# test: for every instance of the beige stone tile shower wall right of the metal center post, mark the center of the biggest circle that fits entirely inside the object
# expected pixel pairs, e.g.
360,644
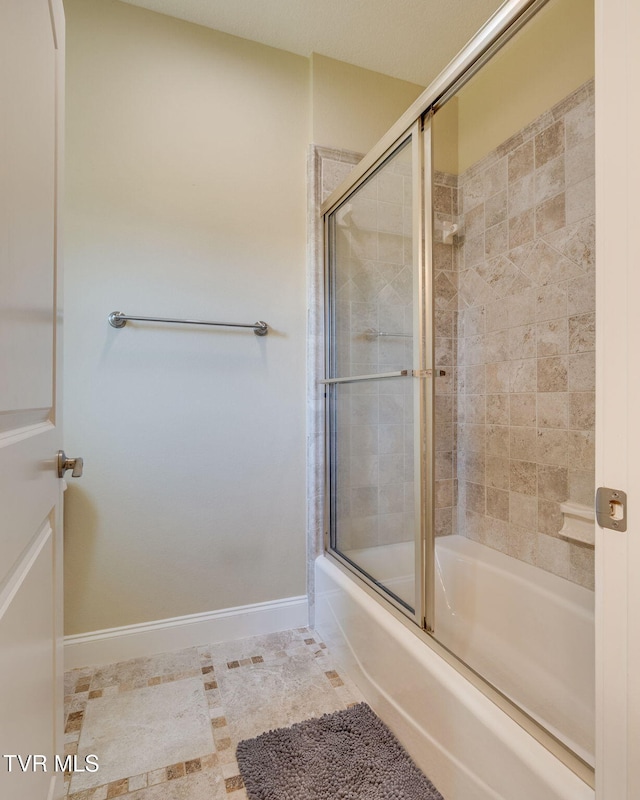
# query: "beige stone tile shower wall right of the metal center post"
524,338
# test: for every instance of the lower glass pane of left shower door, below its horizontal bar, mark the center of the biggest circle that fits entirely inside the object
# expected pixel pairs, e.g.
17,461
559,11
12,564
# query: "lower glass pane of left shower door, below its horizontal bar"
373,518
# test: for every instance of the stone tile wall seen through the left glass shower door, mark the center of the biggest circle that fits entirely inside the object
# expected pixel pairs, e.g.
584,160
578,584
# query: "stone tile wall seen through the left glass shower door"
374,296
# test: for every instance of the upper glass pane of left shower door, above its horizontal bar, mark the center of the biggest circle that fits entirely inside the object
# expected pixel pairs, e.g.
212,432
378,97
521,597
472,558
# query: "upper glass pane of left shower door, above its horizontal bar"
371,273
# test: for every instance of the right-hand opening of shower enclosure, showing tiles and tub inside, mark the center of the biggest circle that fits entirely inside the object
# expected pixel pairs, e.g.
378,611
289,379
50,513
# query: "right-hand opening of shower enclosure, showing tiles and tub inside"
513,247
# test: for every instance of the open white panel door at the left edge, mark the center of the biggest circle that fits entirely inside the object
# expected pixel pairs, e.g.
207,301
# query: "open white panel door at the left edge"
31,81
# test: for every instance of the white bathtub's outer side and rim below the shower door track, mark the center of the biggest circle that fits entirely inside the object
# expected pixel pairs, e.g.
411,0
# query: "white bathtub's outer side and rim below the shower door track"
468,747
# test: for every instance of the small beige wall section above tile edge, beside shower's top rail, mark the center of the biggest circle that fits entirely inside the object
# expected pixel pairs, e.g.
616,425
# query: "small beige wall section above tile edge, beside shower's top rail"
354,107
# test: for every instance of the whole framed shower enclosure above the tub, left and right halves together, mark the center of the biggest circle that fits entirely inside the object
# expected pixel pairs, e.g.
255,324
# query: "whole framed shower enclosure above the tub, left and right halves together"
457,496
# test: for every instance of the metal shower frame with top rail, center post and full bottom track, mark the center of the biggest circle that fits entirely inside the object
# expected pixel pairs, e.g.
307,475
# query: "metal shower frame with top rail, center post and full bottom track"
500,28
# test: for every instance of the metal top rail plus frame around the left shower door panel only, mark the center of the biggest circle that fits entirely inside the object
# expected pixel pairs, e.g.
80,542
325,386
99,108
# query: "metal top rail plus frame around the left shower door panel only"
416,122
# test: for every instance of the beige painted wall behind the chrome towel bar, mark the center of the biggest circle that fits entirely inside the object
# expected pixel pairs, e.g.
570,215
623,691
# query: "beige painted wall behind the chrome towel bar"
186,196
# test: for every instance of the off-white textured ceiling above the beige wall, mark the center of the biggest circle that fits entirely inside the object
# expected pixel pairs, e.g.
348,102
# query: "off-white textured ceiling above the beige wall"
408,39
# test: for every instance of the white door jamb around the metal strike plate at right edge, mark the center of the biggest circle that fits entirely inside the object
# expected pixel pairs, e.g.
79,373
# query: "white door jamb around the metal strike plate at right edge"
618,396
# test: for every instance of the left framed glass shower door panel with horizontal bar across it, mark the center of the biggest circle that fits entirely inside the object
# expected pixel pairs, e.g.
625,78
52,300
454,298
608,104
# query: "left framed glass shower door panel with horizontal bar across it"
373,399
